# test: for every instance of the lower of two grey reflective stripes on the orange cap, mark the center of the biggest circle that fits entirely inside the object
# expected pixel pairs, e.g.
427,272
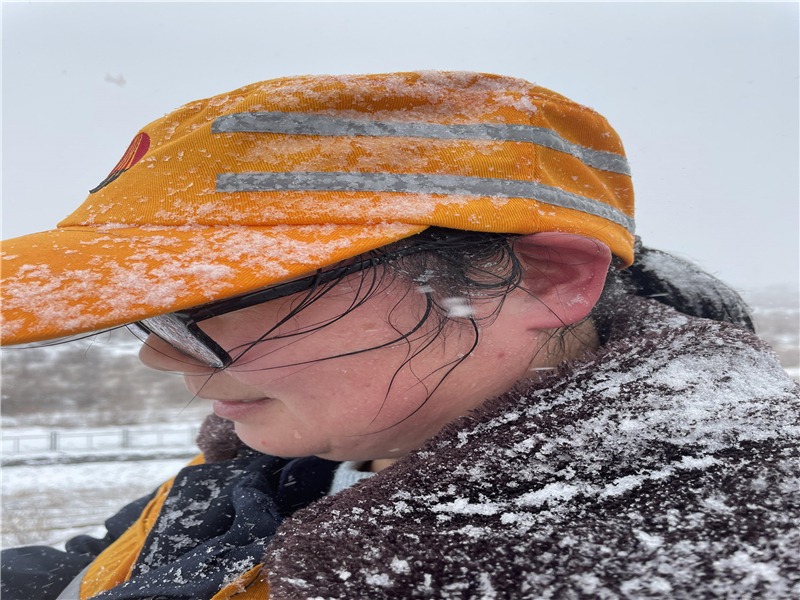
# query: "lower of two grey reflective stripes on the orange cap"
418,184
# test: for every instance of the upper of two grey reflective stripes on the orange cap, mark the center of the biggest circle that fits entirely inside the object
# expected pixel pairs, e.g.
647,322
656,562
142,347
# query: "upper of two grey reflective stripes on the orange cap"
308,124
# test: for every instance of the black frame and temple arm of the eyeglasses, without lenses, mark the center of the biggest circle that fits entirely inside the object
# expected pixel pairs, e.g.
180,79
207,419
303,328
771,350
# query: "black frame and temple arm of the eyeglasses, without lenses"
189,318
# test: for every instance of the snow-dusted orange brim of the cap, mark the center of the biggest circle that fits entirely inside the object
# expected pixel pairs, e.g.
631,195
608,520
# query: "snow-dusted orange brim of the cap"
81,279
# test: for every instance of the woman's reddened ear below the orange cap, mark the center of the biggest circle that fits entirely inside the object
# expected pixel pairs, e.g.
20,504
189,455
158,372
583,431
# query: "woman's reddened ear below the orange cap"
565,273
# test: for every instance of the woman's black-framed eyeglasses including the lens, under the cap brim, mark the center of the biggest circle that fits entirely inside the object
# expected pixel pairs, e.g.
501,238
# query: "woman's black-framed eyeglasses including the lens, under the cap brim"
179,329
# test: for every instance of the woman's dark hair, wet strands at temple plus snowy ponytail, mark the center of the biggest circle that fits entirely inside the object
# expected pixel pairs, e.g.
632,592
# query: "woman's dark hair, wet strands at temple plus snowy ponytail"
455,269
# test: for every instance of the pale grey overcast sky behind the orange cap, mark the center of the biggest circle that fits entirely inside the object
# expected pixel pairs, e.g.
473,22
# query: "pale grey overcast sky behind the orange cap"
704,95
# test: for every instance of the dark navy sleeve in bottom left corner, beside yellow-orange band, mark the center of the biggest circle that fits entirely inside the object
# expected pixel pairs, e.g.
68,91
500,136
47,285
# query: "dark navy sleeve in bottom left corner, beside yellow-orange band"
42,572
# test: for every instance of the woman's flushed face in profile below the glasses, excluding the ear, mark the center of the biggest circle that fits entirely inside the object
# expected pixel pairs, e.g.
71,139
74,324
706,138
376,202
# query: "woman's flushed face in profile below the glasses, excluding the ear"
286,399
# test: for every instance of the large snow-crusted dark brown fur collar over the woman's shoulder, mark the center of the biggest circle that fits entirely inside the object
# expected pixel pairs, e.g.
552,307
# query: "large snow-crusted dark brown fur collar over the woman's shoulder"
667,465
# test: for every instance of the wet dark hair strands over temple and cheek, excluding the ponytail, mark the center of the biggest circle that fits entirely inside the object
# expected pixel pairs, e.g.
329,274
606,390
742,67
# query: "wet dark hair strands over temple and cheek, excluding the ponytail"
450,270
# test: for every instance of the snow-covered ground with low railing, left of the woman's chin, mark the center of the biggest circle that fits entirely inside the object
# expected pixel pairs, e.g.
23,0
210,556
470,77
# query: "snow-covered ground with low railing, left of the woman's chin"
61,482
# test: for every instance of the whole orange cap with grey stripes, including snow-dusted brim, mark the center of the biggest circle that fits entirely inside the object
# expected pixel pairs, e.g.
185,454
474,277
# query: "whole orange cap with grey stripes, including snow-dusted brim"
276,179
